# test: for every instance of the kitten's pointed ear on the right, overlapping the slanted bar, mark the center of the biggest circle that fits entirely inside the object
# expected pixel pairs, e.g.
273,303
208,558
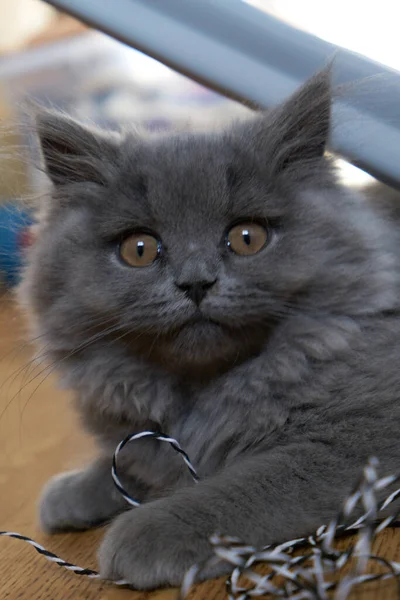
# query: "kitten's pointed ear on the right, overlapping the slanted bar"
298,130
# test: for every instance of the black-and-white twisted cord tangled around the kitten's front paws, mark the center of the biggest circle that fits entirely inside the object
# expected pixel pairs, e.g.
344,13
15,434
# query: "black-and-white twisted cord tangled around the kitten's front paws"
302,577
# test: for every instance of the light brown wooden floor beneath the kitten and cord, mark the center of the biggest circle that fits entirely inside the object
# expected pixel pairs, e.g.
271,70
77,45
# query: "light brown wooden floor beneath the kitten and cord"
39,437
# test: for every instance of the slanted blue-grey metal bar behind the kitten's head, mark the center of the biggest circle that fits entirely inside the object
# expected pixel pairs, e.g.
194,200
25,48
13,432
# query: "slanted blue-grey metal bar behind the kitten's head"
254,58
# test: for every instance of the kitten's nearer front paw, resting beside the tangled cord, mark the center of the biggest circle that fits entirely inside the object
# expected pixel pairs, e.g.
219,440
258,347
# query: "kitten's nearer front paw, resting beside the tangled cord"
151,547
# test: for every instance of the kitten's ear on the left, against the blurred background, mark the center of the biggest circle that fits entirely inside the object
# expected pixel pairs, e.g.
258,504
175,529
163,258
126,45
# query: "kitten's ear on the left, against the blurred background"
73,152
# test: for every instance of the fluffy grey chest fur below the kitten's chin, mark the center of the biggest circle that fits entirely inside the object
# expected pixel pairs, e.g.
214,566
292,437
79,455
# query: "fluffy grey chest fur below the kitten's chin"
212,420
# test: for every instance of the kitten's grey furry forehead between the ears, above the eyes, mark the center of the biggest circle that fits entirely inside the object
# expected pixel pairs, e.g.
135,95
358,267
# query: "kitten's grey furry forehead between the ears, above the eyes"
181,185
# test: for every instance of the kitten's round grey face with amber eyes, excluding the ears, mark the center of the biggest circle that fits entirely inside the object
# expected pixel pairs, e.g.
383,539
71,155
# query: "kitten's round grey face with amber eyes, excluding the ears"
181,259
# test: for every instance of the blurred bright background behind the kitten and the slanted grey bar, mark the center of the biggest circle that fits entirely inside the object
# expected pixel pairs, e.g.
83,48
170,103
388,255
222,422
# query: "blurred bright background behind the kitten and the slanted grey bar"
54,60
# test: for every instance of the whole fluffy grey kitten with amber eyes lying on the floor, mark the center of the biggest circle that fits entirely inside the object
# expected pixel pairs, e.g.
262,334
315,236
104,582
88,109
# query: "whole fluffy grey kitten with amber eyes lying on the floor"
226,290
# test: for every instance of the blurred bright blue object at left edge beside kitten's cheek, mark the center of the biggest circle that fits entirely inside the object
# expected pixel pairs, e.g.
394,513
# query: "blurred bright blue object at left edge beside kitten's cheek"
14,224
